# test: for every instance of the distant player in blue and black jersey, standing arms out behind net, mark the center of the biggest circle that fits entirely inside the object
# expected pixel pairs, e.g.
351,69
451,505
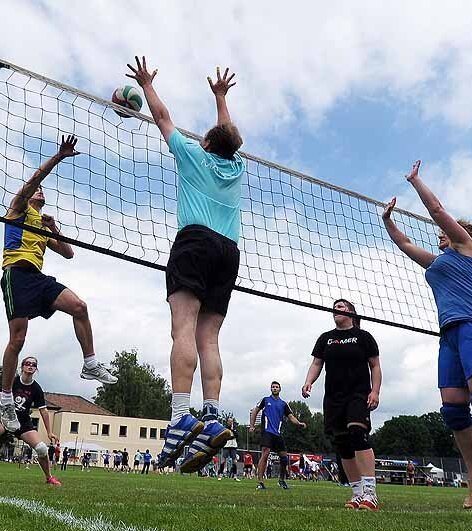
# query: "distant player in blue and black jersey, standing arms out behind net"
274,409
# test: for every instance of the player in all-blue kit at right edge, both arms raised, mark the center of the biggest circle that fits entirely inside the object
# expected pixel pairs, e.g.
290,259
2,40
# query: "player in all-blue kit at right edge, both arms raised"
450,276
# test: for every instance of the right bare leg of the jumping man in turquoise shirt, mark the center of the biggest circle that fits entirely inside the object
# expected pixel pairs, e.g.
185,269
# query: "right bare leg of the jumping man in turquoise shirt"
208,328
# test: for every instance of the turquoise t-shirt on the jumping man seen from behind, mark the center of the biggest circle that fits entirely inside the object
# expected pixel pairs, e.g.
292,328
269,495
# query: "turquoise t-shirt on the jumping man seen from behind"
209,187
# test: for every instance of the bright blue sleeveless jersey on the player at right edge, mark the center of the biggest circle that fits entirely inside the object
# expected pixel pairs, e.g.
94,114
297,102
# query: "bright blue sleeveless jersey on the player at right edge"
450,278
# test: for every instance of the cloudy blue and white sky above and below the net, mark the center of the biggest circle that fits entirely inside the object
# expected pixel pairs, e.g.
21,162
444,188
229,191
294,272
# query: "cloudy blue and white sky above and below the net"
351,93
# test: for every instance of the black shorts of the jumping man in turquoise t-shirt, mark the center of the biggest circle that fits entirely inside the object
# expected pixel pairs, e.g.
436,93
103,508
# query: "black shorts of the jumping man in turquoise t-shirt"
205,263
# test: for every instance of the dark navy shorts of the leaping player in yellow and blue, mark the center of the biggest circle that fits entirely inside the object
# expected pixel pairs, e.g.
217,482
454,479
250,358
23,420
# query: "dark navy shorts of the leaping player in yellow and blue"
29,293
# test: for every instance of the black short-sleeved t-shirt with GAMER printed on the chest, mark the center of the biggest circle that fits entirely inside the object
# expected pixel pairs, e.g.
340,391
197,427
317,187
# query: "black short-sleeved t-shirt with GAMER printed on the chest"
345,354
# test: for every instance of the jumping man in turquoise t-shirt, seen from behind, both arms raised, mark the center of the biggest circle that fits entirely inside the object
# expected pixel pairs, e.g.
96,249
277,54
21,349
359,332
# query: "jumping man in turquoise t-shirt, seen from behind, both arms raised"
202,267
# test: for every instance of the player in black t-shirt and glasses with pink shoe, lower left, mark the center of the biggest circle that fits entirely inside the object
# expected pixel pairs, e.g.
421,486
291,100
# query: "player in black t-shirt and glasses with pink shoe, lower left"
27,394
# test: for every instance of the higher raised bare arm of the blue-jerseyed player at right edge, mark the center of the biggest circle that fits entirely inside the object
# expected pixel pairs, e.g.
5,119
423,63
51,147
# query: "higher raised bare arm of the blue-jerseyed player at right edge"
457,234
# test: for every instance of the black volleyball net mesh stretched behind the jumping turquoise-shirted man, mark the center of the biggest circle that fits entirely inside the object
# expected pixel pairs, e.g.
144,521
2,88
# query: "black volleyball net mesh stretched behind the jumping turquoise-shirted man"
301,239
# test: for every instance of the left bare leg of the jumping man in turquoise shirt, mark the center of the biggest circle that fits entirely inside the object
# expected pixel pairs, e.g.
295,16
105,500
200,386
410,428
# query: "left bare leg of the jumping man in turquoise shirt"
184,308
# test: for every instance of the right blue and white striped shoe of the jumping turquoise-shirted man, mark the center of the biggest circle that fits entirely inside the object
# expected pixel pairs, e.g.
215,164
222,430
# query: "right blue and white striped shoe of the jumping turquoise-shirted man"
213,437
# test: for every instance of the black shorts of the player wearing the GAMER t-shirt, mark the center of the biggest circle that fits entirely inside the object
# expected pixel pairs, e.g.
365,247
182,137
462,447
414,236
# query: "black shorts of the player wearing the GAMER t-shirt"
340,411
